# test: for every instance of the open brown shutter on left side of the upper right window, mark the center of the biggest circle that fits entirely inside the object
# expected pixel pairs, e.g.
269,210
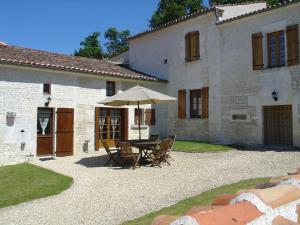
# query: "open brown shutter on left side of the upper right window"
257,51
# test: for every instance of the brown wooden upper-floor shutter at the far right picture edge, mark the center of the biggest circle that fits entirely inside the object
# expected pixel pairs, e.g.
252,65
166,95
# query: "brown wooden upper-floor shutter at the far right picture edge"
292,36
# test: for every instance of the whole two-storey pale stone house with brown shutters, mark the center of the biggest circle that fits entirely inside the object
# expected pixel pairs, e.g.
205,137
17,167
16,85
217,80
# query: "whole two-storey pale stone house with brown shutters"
245,57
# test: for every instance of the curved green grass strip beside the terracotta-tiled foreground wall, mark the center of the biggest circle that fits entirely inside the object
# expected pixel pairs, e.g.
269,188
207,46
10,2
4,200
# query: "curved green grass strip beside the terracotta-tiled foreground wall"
203,199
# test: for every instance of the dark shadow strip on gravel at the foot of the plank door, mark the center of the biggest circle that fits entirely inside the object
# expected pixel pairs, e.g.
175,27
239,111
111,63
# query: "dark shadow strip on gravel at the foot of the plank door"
264,148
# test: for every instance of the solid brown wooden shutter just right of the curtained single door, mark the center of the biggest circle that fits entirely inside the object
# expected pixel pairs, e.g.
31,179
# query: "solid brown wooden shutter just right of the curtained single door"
65,132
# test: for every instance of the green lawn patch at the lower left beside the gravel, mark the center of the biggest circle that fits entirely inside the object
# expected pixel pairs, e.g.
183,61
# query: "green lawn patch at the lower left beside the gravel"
25,182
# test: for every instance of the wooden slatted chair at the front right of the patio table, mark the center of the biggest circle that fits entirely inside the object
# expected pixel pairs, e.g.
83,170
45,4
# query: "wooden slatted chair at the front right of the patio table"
159,156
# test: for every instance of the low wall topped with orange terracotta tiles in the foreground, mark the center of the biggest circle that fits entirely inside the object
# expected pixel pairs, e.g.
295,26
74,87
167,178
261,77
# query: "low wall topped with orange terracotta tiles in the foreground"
273,203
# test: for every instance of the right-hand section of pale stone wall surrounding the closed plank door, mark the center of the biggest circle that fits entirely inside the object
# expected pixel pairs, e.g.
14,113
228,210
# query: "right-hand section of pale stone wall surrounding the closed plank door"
247,91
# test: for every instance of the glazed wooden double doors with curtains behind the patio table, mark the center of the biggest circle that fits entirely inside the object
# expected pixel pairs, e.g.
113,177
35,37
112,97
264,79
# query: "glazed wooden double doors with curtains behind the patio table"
110,125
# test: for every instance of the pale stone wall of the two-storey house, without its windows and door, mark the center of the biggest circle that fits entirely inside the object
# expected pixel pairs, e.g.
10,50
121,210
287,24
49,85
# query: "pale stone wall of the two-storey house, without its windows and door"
225,66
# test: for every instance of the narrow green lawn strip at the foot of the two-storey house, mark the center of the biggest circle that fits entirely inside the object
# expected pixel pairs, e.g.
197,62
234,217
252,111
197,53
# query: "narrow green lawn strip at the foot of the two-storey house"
198,147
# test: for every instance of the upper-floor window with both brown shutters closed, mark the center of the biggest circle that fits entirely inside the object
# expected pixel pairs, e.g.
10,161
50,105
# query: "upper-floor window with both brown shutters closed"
192,47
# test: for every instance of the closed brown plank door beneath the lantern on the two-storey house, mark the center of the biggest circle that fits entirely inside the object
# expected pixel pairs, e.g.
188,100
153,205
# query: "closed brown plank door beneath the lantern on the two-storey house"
278,125
